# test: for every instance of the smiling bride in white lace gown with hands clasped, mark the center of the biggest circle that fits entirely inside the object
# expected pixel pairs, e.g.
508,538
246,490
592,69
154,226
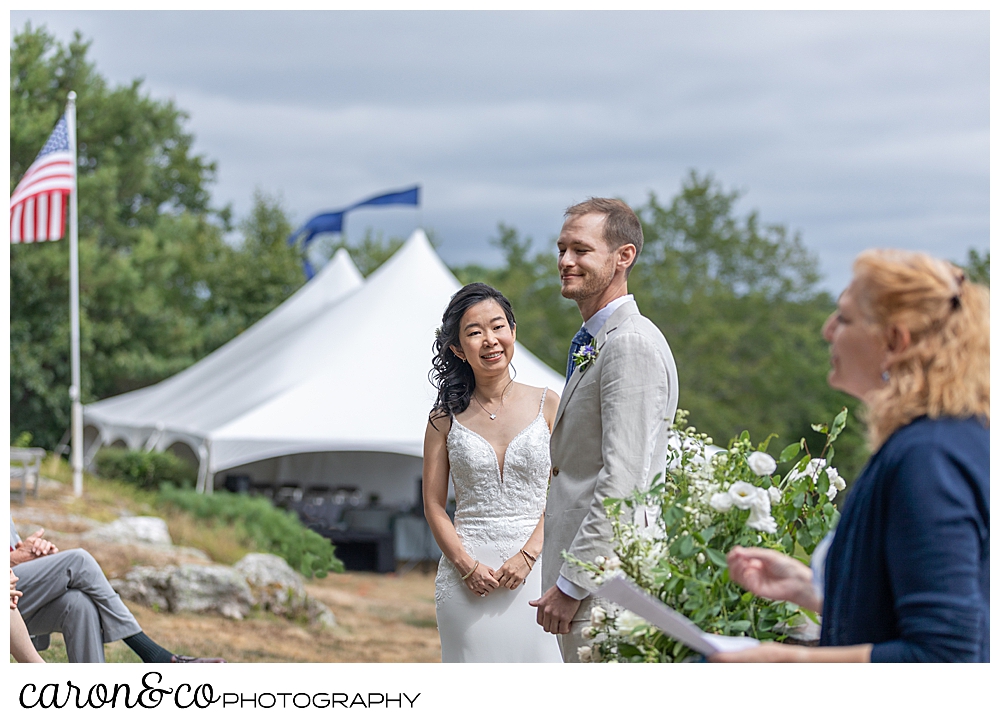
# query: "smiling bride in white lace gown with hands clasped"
491,435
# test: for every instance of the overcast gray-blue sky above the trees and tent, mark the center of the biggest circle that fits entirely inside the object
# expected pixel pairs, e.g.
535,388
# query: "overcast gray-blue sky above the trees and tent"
856,129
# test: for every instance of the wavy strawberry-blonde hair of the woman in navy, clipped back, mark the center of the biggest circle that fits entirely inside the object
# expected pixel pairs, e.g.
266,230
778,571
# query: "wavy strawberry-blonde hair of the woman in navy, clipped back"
945,372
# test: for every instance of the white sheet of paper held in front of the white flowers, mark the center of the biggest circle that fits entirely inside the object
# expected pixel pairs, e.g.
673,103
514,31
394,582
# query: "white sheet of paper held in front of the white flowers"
623,591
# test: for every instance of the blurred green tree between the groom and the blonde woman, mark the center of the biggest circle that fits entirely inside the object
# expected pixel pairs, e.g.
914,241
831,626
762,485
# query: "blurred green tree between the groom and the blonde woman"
737,300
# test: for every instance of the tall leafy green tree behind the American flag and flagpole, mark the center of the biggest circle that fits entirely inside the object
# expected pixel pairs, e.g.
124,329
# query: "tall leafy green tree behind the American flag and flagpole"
159,285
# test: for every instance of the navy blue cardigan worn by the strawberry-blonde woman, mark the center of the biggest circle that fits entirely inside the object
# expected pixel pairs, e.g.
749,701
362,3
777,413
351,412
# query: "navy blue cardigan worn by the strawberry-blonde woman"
909,567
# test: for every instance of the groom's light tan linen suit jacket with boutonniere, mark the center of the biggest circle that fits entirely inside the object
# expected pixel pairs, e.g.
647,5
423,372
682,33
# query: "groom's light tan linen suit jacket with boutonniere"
609,438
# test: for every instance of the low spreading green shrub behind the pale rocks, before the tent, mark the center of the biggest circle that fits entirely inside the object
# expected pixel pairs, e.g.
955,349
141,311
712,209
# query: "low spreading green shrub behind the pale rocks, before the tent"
270,529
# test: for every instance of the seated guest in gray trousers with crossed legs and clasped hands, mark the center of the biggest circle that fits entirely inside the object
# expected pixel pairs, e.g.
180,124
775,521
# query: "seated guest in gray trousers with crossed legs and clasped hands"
66,592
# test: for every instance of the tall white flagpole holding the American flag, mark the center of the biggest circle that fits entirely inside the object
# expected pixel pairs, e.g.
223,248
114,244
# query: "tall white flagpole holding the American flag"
76,412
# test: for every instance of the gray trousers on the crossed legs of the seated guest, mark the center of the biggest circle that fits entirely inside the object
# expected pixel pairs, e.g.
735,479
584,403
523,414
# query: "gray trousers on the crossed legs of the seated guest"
67,593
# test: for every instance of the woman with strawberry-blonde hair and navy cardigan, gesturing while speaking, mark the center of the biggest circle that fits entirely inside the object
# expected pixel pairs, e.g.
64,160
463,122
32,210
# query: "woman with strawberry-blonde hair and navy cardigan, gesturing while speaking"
906,574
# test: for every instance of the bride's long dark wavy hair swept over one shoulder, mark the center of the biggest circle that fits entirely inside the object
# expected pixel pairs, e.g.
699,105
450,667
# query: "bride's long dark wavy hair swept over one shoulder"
452,377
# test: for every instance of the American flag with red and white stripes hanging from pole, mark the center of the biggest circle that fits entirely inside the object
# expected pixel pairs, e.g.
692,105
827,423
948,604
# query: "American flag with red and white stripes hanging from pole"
38,204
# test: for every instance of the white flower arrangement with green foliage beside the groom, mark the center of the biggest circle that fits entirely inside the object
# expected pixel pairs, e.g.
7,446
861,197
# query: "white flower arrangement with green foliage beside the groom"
672,540
